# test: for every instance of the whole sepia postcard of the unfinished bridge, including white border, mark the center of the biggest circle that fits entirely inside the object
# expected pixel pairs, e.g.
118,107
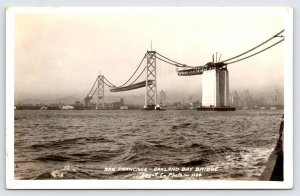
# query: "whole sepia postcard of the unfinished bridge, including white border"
149,97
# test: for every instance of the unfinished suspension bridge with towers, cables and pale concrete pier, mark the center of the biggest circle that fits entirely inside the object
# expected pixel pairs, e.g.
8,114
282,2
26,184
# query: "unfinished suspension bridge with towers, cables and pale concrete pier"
215,85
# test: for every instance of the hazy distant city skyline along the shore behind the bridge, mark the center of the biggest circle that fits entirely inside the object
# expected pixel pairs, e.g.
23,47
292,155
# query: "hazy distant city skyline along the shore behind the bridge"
238,98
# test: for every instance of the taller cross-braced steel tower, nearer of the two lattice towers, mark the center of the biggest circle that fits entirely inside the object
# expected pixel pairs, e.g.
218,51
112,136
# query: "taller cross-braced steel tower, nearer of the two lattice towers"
151,89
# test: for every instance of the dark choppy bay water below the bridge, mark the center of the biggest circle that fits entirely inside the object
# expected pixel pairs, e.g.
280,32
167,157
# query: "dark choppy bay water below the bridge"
93,144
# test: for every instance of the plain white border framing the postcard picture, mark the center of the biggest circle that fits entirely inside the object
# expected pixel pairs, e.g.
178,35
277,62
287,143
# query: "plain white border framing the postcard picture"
11,183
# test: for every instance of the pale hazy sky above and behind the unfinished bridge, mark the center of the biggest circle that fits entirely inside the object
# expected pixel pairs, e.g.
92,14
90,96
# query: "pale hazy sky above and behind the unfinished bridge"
62,54
